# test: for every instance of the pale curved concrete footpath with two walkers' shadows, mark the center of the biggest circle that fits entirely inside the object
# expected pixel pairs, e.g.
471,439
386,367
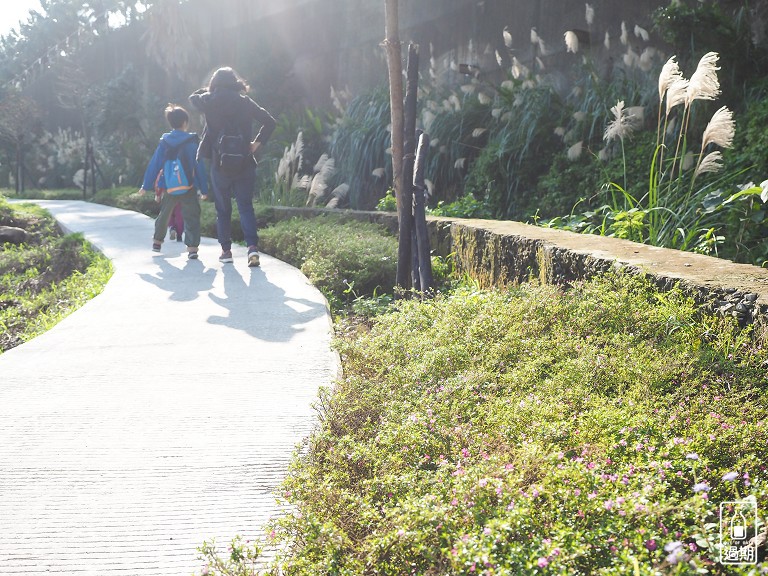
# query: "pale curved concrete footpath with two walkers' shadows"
162,413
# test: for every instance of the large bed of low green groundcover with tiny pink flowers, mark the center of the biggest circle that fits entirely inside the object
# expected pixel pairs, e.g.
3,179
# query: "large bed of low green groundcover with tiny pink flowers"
539,430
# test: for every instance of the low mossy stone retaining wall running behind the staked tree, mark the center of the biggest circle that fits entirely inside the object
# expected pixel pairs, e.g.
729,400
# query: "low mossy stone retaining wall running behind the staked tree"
497,253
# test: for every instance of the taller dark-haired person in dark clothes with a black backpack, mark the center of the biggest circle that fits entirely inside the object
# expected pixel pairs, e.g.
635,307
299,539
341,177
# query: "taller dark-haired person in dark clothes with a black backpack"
229,143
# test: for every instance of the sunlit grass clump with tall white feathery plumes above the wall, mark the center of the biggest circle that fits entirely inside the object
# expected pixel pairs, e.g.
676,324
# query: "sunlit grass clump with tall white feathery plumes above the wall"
686,204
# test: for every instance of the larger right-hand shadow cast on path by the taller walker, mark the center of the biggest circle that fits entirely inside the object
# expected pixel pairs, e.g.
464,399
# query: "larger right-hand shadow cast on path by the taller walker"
262,309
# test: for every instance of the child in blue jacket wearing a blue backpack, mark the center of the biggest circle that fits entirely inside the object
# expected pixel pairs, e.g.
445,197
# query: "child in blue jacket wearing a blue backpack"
182,144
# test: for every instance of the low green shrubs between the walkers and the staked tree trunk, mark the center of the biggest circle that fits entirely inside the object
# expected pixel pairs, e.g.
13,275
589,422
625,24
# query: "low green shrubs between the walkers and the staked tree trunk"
343,259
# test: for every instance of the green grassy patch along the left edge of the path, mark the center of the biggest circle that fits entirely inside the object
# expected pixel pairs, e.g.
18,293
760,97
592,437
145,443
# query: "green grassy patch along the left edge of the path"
46,278
